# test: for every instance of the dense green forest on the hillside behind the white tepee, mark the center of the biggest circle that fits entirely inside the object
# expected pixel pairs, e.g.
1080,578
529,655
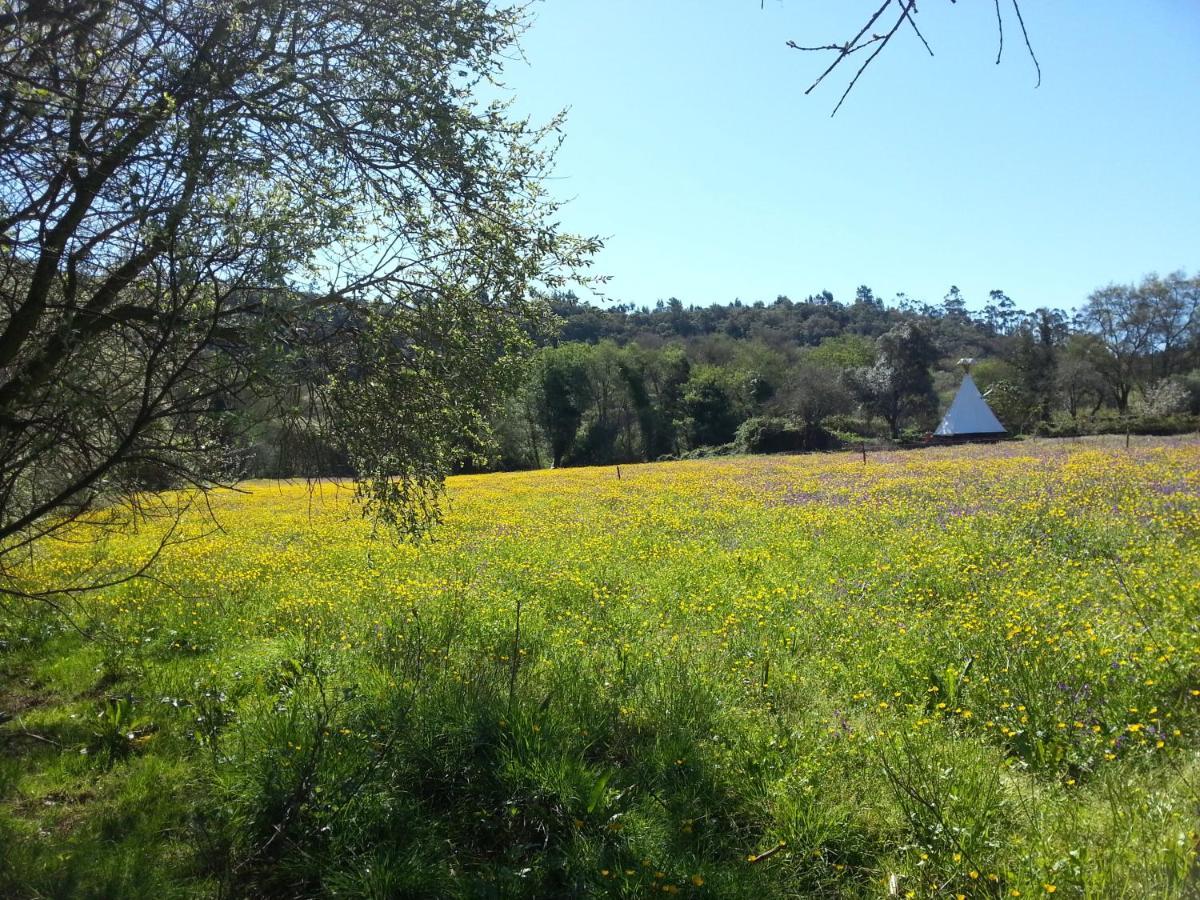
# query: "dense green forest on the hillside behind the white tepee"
625,385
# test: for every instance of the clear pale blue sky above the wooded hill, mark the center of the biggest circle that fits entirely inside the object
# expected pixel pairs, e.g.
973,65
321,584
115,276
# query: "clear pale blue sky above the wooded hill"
692,148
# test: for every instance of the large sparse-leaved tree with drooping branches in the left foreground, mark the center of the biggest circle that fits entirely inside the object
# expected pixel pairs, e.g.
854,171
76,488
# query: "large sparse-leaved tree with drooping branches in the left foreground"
304,203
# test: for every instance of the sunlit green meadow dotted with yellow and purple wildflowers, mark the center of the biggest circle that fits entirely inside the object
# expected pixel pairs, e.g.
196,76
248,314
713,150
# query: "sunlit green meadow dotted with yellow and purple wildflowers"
956,673
